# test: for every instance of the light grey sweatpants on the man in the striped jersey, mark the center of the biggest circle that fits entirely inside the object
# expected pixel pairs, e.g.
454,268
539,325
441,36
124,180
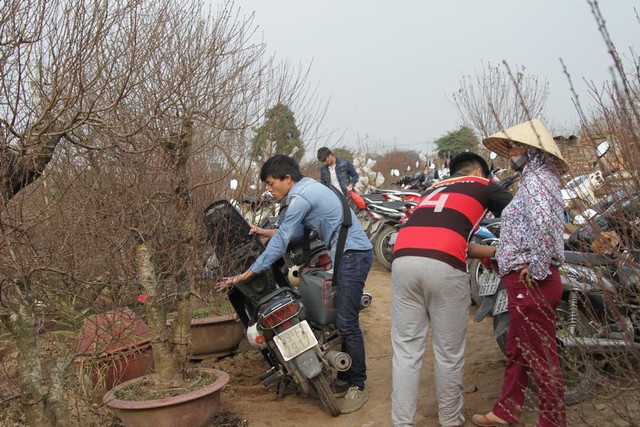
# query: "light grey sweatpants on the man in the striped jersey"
426,292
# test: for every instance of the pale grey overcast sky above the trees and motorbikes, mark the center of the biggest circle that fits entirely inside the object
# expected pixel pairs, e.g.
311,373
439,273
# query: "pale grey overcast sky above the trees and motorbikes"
388,68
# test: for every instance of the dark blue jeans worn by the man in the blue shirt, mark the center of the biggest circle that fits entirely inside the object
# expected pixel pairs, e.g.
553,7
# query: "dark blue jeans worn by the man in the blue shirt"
354,269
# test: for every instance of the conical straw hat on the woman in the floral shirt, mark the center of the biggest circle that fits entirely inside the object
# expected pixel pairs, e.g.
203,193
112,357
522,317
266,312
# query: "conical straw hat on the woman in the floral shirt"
532,133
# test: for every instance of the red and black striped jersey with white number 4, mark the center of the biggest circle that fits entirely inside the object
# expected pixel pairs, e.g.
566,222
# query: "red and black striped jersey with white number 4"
444,220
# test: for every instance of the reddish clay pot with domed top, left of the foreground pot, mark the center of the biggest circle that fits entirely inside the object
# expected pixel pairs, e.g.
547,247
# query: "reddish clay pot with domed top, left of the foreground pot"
116,347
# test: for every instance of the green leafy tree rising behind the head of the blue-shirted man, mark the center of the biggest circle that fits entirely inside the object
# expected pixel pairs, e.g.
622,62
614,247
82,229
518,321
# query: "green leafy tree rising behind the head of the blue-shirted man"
280,129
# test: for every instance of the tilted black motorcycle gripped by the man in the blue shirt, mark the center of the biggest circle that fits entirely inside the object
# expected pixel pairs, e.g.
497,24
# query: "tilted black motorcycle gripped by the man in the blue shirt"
292,324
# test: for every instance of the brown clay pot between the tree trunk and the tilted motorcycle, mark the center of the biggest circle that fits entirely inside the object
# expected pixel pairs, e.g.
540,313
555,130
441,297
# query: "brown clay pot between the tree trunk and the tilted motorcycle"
214,336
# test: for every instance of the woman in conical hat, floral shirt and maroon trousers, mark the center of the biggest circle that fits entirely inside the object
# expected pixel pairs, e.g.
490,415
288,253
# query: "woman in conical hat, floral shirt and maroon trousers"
530,250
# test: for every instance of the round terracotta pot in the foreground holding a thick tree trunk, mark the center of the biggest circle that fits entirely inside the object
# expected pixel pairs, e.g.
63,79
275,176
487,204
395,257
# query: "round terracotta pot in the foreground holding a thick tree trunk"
193,409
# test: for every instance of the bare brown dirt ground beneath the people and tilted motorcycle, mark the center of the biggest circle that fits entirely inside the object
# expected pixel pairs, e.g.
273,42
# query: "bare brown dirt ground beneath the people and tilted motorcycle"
245,402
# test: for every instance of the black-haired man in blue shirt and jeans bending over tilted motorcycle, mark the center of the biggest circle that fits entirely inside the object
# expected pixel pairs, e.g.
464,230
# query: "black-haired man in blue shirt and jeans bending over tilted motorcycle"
314,206
